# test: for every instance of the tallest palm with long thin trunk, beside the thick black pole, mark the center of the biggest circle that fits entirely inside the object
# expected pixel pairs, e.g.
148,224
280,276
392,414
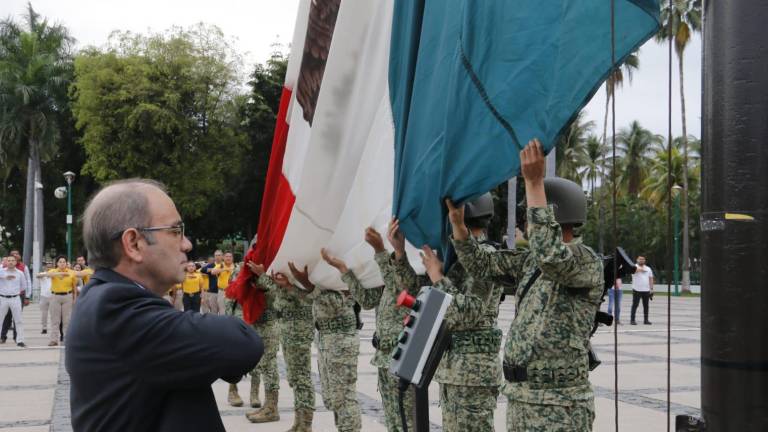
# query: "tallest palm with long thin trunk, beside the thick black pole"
680,21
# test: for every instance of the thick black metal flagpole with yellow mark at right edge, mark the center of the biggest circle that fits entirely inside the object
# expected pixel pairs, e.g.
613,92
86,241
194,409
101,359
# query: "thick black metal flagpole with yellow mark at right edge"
734,217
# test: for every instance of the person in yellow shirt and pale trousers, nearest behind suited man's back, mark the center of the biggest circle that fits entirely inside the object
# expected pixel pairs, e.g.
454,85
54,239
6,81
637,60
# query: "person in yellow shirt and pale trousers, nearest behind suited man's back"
64,293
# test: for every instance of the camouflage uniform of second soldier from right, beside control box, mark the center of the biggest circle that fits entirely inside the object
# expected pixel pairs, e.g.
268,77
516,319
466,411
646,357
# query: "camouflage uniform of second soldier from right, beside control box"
470,371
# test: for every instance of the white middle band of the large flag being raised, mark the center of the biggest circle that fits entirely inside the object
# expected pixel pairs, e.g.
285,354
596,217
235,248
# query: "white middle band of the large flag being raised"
341,168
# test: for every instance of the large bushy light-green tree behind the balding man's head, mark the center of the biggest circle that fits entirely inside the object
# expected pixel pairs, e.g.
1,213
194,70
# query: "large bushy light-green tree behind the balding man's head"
163,106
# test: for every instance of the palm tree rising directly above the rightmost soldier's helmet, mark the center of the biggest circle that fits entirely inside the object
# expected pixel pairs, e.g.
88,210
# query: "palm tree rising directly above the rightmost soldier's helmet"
571,151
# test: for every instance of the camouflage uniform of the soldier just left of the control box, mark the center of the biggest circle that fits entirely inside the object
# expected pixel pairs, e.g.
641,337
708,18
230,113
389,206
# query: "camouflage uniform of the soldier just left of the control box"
389,323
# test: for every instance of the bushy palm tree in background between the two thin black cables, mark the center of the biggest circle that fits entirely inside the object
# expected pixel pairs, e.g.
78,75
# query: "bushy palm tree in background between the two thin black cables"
634,144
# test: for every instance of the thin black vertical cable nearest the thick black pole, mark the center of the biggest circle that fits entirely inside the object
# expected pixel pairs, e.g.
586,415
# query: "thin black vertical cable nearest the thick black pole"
669,220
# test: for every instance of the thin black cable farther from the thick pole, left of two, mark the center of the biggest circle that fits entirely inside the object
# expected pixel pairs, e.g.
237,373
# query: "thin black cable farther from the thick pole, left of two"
612,82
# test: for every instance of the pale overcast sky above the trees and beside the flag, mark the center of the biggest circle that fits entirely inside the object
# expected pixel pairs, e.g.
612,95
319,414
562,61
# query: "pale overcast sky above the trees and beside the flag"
257,24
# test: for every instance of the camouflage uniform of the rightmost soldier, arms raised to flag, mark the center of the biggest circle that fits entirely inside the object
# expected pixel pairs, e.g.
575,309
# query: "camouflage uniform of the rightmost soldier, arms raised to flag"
548,337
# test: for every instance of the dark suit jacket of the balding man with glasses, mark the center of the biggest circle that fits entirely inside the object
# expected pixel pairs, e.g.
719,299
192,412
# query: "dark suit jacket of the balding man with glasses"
137,364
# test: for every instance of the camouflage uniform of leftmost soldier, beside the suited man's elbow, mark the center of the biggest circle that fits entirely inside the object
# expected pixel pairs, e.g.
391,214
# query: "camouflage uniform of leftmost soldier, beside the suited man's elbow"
267,327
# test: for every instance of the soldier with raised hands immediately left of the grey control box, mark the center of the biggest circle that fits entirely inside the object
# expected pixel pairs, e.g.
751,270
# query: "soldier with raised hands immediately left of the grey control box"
389,319
